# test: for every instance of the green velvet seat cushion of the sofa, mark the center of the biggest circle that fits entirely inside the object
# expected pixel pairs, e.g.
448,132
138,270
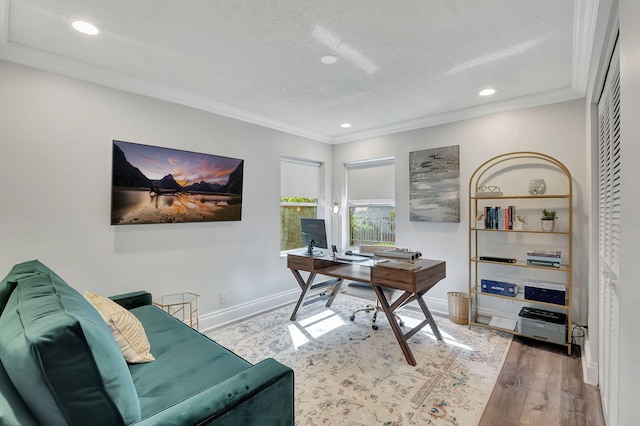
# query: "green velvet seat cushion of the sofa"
187,362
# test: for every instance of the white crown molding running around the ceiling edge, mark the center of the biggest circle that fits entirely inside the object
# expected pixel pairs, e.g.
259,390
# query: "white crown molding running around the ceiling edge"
585,13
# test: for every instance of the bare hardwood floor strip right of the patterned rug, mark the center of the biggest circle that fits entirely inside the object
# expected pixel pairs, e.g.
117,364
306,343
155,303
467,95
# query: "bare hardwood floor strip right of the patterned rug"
541,385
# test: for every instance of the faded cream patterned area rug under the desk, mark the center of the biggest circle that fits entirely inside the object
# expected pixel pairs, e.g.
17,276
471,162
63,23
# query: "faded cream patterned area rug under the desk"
348,374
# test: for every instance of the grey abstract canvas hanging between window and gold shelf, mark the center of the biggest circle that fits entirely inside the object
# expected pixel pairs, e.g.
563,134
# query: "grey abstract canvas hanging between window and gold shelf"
434,185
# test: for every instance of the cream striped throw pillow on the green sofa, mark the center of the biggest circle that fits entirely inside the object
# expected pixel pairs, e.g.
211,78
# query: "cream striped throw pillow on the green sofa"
126,328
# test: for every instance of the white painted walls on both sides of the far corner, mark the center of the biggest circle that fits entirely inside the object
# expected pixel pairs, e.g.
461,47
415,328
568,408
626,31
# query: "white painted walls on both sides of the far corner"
55,165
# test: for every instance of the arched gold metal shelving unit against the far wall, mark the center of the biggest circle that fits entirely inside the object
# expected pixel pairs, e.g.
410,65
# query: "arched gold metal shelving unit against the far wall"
505,170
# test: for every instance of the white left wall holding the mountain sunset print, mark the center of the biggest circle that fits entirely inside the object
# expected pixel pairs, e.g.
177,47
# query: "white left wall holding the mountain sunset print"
55,172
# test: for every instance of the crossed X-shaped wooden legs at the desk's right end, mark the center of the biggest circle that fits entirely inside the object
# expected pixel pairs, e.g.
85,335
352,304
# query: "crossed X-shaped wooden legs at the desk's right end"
400,336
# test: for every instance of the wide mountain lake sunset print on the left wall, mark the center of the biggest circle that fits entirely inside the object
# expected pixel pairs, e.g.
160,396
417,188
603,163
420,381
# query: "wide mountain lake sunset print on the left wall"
161,185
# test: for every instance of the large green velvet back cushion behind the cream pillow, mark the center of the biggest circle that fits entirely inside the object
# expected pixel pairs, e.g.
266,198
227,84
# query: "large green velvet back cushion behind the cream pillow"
62,358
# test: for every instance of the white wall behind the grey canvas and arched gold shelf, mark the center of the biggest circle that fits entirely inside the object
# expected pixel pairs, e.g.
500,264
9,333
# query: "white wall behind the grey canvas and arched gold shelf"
557,130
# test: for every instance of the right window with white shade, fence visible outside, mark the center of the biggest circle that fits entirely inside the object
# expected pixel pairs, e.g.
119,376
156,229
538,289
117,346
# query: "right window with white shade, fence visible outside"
371,199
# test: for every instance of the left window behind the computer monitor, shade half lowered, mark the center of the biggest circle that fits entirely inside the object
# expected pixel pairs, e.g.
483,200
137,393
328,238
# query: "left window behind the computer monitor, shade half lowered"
299,194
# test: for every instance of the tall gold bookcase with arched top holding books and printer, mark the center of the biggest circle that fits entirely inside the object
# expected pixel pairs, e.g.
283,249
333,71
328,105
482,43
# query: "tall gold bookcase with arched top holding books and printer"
500,167
